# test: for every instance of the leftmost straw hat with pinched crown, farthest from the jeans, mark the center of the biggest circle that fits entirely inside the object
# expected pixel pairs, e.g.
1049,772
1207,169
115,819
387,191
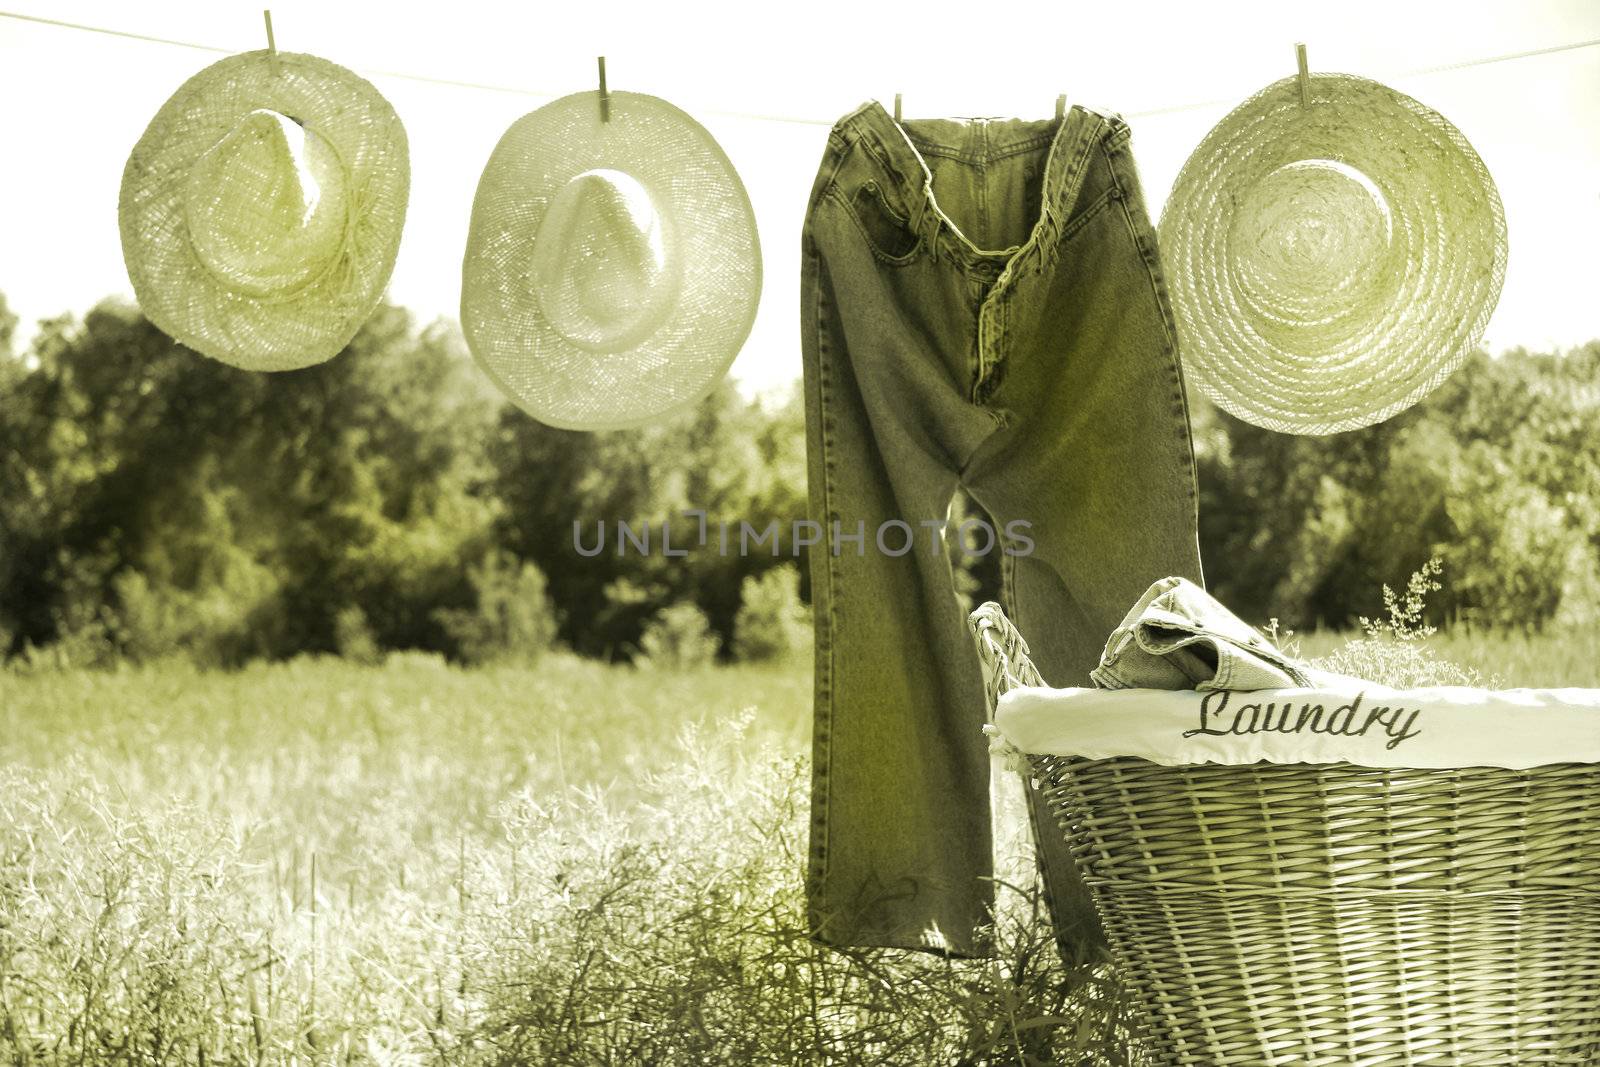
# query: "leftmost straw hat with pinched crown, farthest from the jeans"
262,210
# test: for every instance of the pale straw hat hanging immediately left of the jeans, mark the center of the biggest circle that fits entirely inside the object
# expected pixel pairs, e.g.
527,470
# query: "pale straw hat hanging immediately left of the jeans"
612,268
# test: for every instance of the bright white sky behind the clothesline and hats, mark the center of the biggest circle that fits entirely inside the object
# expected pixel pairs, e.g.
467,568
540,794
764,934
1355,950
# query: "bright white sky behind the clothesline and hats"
73,106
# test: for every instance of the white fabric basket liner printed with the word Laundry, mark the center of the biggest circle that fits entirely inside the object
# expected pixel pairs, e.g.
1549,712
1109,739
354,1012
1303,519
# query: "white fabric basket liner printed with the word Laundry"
1366,724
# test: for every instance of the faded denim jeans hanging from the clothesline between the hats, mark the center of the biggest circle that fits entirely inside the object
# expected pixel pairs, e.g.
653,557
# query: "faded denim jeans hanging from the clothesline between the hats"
982,306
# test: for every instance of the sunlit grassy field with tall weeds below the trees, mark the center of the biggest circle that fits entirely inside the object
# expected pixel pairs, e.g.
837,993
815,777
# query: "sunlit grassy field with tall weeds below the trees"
406,865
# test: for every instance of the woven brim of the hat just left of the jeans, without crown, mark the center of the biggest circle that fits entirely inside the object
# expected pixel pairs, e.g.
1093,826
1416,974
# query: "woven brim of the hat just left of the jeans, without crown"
692,182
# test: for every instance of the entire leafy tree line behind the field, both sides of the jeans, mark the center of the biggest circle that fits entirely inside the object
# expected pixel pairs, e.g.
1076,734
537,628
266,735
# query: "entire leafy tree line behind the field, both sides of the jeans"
158,503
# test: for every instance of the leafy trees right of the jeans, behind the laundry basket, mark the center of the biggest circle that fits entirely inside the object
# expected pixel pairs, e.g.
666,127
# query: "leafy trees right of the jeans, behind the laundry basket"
1497,473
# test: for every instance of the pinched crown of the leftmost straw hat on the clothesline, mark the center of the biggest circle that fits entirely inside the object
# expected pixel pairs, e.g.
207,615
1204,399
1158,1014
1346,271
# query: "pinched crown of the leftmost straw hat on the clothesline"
268,206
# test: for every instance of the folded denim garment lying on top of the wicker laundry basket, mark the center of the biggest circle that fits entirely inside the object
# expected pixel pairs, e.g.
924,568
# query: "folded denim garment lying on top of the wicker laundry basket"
1182,637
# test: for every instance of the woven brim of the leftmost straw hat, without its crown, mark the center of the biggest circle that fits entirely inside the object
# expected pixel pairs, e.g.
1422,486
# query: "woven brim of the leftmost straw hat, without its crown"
191,305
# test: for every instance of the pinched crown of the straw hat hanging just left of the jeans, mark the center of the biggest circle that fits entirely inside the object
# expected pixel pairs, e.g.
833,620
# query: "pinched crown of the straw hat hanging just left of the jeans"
604,268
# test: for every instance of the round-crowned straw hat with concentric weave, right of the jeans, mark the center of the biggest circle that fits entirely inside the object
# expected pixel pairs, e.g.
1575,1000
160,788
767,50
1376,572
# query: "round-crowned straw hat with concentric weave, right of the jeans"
1330,265
